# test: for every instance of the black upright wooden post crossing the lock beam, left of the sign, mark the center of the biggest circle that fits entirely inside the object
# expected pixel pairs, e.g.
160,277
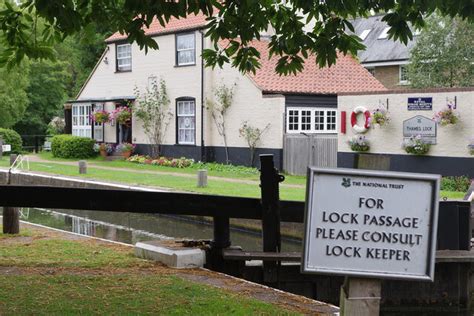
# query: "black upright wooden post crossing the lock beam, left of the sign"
269,183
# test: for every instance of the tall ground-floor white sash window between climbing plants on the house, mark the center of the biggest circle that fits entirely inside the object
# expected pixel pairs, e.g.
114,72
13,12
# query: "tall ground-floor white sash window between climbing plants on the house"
186,122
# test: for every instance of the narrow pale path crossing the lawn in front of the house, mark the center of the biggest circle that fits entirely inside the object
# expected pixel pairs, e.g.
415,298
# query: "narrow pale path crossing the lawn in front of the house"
34,158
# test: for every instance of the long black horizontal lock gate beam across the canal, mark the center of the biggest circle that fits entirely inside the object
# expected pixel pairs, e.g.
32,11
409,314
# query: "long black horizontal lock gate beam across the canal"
142,202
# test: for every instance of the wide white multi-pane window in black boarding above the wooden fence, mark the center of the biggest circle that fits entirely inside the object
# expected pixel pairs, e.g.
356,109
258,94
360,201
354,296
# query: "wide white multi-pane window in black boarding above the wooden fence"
311,120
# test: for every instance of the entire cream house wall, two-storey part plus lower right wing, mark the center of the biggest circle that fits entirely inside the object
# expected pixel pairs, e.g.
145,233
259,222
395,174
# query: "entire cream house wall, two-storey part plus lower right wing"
249,104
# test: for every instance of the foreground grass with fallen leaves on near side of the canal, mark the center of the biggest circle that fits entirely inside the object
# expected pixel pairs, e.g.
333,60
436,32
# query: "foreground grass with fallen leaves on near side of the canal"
54,276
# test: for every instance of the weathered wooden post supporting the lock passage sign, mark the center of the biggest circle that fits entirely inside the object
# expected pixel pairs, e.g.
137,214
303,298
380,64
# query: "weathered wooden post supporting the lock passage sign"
361,296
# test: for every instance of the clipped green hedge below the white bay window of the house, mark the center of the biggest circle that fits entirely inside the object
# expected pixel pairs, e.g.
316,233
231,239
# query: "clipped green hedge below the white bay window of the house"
68,146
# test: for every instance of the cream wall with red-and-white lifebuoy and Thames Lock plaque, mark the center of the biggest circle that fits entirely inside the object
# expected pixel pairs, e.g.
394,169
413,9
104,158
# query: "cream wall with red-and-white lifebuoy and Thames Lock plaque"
451,140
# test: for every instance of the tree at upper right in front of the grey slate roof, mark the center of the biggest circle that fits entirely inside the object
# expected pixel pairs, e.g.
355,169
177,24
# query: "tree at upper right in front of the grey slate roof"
443,55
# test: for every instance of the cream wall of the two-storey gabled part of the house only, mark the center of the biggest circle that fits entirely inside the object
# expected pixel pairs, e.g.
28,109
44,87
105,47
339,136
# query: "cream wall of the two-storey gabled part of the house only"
180,81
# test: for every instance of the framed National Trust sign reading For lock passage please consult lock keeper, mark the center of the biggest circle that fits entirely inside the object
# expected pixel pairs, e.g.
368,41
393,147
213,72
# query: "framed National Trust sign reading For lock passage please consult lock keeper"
371,223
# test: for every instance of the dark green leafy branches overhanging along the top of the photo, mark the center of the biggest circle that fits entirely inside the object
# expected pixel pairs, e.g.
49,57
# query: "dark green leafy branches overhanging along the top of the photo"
244,20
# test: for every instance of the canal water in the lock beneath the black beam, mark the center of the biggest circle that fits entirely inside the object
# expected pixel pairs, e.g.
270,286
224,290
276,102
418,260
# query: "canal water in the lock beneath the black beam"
131,227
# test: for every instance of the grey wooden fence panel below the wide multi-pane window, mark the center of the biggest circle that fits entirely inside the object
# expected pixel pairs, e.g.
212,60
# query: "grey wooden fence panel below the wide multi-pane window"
301,151
